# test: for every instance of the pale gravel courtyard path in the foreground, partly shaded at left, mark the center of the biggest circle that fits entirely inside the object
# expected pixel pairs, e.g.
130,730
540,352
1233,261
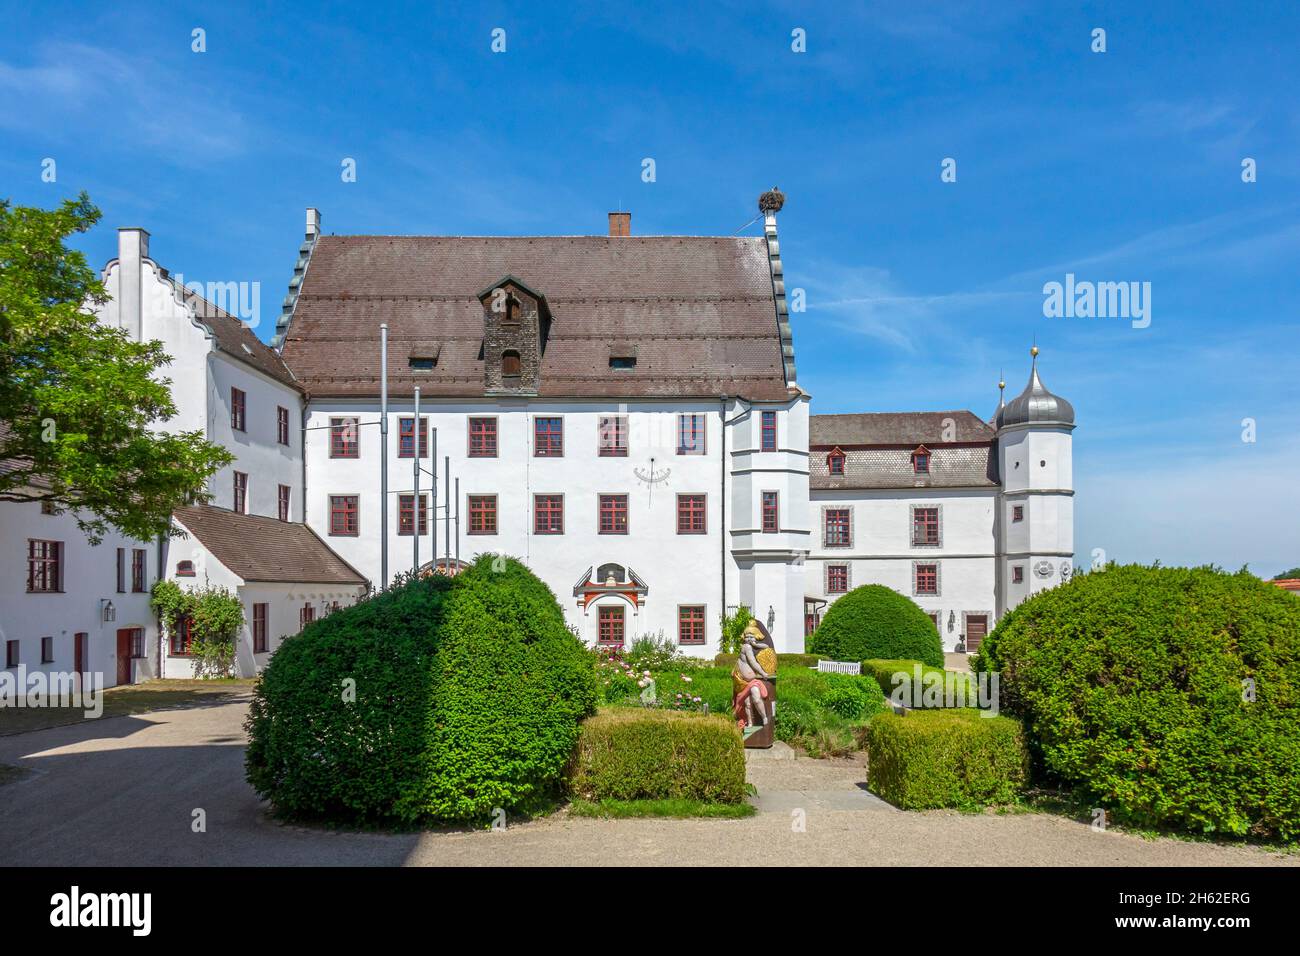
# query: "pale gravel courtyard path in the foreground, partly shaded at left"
125,791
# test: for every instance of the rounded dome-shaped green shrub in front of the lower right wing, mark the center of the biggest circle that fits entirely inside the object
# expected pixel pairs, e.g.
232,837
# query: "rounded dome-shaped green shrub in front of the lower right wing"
877,622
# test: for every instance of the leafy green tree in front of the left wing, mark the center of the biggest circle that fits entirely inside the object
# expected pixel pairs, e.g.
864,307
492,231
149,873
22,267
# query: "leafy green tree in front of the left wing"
79,399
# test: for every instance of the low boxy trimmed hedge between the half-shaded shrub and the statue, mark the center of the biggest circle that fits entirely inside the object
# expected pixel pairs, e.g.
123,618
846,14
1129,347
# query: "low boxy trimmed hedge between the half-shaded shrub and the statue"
626,754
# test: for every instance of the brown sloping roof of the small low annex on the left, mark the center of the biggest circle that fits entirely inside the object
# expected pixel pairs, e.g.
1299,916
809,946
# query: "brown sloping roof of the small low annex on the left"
266,550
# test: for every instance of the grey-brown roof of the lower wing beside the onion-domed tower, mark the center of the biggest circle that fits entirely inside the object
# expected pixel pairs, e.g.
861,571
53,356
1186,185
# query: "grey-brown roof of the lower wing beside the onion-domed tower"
878,451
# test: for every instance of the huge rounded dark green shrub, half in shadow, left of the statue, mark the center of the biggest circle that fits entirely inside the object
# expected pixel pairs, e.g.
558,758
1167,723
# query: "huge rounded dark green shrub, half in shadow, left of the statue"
469,697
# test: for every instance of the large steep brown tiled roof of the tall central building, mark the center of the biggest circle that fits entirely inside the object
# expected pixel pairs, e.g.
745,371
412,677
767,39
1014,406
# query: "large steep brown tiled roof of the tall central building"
700,312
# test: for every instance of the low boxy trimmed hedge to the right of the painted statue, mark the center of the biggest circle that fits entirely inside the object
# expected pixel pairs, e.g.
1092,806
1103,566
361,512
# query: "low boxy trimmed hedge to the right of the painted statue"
946,759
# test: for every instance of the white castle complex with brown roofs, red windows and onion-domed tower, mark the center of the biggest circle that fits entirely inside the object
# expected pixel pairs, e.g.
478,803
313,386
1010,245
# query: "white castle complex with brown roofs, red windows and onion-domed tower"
621,413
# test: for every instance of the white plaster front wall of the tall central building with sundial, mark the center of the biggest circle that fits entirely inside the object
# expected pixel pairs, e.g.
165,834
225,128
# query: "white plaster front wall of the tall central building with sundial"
679,569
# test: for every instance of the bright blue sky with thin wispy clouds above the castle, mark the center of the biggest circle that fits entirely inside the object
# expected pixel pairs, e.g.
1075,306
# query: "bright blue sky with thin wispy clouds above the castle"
1124,166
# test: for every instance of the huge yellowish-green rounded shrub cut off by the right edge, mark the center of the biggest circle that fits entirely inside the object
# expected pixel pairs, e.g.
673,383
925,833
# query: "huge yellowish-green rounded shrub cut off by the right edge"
1137,684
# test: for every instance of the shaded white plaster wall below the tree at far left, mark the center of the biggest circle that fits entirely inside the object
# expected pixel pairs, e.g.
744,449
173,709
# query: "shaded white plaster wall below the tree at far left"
89,577
